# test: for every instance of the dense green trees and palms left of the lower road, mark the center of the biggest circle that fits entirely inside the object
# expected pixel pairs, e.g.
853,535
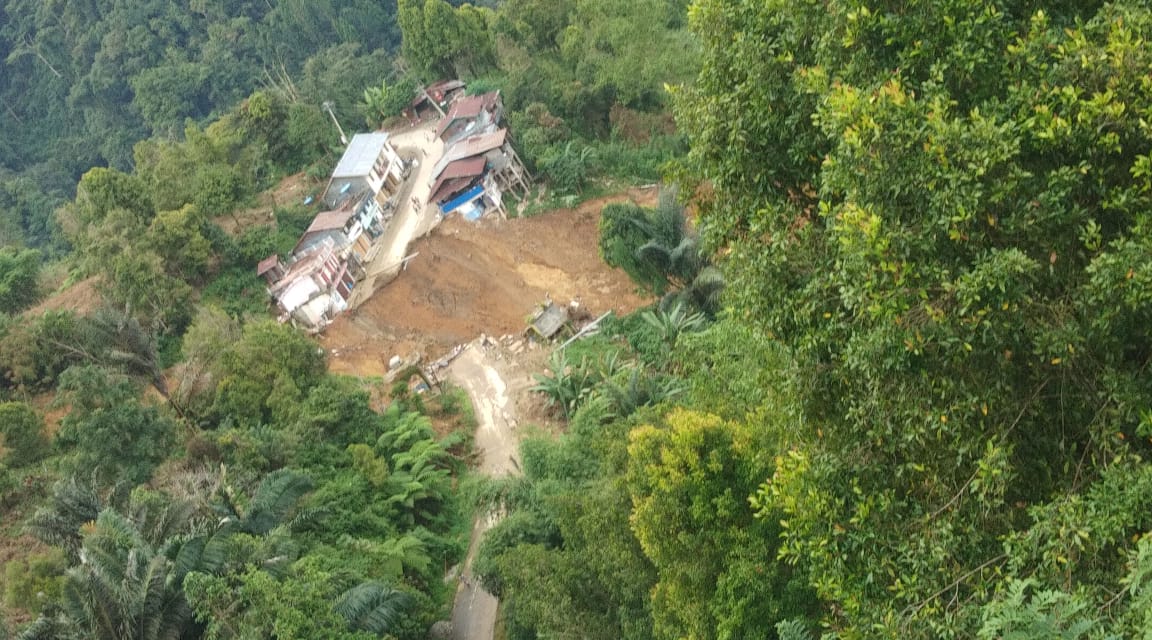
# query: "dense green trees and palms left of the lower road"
294,512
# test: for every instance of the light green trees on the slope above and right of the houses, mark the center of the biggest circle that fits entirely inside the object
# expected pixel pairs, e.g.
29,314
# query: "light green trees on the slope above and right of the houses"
583,80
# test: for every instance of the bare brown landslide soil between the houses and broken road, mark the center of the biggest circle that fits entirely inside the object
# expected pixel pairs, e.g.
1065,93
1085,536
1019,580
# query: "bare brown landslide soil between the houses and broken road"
482,278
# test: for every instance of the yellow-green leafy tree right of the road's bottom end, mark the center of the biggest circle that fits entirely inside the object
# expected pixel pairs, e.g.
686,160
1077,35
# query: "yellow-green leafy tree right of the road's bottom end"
717,576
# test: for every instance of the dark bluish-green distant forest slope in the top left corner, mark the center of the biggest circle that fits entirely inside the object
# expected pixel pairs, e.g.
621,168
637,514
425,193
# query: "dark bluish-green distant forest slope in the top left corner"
84,82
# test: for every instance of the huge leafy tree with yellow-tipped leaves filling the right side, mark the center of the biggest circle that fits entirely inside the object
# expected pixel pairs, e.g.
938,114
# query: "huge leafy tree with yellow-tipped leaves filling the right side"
942,214
